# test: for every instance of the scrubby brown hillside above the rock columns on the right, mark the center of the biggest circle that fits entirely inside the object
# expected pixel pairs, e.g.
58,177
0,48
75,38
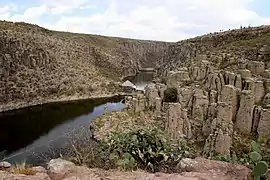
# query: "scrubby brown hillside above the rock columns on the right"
226,50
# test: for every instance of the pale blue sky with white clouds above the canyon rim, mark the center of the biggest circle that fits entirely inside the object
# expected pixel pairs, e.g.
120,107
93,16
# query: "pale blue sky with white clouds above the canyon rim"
164,20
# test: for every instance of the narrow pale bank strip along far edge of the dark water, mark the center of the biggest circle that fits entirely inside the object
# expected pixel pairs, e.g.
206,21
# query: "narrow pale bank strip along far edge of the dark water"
19,105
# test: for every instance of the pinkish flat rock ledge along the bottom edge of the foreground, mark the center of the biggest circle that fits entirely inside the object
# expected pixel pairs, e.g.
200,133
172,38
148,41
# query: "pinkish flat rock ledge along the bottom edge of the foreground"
195,169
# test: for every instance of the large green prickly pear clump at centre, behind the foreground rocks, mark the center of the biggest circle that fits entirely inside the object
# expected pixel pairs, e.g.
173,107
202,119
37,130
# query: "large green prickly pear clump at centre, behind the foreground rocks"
145,148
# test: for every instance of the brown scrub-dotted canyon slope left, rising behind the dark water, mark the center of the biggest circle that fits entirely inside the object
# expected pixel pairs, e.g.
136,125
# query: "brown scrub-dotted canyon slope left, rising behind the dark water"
37,64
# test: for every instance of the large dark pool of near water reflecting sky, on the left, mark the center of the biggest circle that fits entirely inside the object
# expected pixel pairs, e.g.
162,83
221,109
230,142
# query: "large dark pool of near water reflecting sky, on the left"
33,130
